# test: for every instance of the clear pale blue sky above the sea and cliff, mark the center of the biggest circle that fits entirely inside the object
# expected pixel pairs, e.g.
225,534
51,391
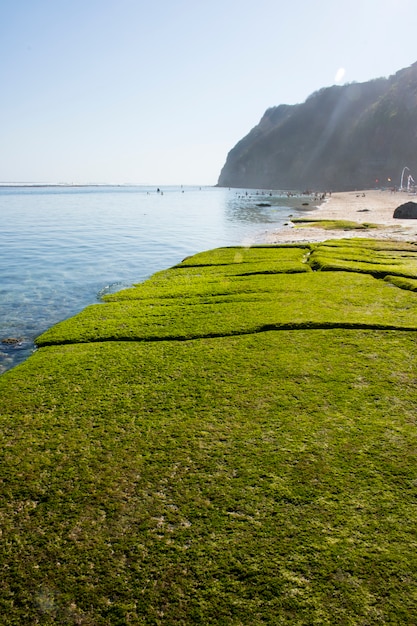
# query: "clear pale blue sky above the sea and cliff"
158,91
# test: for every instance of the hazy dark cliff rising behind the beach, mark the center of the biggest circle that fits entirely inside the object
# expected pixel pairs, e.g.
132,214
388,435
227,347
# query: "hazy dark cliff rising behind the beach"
341,137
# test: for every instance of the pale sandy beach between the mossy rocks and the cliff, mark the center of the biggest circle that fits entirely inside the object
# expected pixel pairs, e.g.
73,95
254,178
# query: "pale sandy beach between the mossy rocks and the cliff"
373,206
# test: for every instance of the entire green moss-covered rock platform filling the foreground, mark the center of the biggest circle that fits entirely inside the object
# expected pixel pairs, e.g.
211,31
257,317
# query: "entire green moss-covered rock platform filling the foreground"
233,441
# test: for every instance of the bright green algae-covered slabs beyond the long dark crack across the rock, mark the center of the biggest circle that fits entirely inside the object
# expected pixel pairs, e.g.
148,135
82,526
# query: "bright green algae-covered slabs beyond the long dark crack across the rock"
196,299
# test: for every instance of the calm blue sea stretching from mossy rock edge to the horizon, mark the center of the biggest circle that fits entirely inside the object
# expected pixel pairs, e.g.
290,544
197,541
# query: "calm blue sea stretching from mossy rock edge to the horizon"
61,248
